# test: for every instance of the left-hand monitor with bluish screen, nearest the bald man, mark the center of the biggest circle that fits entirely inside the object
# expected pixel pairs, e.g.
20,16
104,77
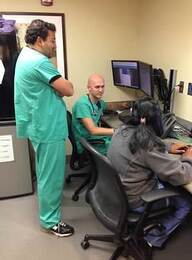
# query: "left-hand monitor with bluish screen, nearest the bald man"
125,73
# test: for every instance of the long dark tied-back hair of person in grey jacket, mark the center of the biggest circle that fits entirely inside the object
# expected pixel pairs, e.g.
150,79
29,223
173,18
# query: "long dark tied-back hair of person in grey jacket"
146,135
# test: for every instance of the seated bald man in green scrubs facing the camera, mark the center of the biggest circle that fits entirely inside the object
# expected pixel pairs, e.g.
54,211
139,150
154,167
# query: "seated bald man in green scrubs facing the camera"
87,112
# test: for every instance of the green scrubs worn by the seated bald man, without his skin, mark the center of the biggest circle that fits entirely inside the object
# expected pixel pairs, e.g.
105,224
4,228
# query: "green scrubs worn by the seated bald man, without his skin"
84,108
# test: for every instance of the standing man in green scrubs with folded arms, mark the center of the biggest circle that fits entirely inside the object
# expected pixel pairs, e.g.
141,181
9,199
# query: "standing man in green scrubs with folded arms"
41,117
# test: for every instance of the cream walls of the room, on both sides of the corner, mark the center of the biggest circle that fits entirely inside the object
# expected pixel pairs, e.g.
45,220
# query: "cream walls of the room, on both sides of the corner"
158,32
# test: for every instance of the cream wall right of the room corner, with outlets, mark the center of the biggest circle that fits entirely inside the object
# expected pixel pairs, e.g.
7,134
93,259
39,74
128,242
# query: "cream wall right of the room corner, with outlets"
165,41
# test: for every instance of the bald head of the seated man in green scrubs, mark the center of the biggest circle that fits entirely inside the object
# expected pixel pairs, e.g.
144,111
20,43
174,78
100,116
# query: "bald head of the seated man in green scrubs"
95,87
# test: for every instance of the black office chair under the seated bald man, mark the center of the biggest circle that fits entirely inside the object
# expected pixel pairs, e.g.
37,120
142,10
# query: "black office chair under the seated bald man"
77,162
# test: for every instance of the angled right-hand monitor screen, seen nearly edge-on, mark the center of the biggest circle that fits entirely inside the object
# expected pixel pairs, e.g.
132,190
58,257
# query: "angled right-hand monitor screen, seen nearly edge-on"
145,76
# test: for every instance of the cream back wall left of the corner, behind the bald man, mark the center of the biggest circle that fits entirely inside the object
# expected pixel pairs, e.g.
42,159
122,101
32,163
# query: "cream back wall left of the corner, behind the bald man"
96,32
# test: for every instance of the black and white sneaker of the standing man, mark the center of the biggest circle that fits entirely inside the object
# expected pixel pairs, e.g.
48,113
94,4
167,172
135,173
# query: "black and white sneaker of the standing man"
62,230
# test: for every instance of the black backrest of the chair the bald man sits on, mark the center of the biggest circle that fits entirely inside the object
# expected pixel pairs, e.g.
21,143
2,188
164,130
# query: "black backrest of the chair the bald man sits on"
76,162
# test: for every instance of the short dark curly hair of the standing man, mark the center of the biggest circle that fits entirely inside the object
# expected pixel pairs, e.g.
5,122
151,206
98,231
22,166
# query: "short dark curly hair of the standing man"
38,28
